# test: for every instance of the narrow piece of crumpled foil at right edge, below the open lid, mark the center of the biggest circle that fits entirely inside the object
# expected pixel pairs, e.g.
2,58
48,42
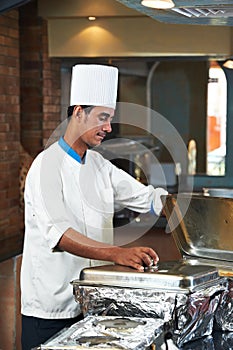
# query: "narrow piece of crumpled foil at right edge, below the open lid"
224,312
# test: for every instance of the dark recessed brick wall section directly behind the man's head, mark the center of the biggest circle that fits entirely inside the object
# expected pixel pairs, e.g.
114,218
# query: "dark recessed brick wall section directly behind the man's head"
40,82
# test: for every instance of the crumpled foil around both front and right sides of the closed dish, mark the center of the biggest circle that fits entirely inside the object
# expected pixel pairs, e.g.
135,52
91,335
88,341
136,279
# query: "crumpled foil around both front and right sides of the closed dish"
187,316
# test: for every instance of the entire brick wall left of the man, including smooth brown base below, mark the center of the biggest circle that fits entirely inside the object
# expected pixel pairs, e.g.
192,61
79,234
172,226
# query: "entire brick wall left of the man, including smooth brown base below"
29,111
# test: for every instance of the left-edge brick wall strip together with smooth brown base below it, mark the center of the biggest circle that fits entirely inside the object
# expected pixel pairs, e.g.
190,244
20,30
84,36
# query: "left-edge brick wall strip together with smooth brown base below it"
10,235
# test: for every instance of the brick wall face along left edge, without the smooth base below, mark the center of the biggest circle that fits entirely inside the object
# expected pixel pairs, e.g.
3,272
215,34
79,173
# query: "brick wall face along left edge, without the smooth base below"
9,131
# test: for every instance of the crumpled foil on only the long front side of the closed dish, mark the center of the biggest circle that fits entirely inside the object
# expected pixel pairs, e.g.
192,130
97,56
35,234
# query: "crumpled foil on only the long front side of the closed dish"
114,301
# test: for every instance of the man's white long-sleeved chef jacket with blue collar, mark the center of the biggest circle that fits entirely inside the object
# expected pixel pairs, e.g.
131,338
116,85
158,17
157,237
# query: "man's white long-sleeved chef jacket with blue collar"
61,192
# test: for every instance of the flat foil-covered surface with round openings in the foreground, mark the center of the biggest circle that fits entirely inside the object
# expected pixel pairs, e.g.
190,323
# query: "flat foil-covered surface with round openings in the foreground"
136,338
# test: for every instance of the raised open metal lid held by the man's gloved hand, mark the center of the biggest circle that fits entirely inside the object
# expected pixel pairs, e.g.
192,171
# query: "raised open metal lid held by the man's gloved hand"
202,226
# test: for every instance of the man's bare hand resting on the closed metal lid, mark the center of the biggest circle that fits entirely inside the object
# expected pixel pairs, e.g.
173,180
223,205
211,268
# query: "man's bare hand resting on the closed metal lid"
136,257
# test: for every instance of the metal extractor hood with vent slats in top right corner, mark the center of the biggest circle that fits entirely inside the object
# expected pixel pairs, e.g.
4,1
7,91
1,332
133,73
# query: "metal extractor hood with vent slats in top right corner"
205,12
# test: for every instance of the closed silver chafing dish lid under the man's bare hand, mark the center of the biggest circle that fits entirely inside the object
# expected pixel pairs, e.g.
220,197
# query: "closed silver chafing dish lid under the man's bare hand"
176,276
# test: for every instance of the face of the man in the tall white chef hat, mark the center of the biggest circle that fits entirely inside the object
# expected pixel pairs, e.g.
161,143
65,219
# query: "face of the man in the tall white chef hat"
95,124
